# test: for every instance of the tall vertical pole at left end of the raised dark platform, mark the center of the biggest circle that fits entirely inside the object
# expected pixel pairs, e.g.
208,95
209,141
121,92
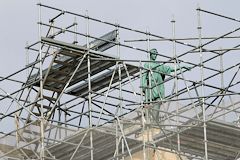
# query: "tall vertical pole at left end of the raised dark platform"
41,84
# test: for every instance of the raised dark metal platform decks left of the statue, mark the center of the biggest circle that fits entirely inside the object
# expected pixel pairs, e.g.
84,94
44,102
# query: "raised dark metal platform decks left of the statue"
71,54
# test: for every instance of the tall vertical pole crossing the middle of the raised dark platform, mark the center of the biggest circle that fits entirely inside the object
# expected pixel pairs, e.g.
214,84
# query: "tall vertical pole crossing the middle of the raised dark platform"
89,87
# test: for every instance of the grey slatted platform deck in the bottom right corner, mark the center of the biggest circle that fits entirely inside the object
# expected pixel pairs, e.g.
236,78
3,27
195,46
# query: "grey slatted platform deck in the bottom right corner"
223,141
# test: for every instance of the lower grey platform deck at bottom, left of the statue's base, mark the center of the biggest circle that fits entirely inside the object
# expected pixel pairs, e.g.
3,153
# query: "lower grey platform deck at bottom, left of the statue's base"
104,145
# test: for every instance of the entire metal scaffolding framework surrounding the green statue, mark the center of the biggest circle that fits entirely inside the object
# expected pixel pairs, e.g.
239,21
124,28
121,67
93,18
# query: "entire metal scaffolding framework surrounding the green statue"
82,98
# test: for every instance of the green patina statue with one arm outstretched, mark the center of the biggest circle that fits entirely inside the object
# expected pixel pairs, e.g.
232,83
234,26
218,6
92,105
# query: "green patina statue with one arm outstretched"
152,81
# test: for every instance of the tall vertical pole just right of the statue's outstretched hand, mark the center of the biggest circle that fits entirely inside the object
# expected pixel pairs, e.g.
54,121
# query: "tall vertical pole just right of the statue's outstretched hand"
202,83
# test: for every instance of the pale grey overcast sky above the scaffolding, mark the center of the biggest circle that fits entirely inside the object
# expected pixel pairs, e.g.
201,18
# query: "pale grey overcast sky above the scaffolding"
19,18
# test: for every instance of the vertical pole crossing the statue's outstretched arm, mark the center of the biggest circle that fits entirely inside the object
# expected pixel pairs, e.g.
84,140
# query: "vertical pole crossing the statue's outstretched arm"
175,78
